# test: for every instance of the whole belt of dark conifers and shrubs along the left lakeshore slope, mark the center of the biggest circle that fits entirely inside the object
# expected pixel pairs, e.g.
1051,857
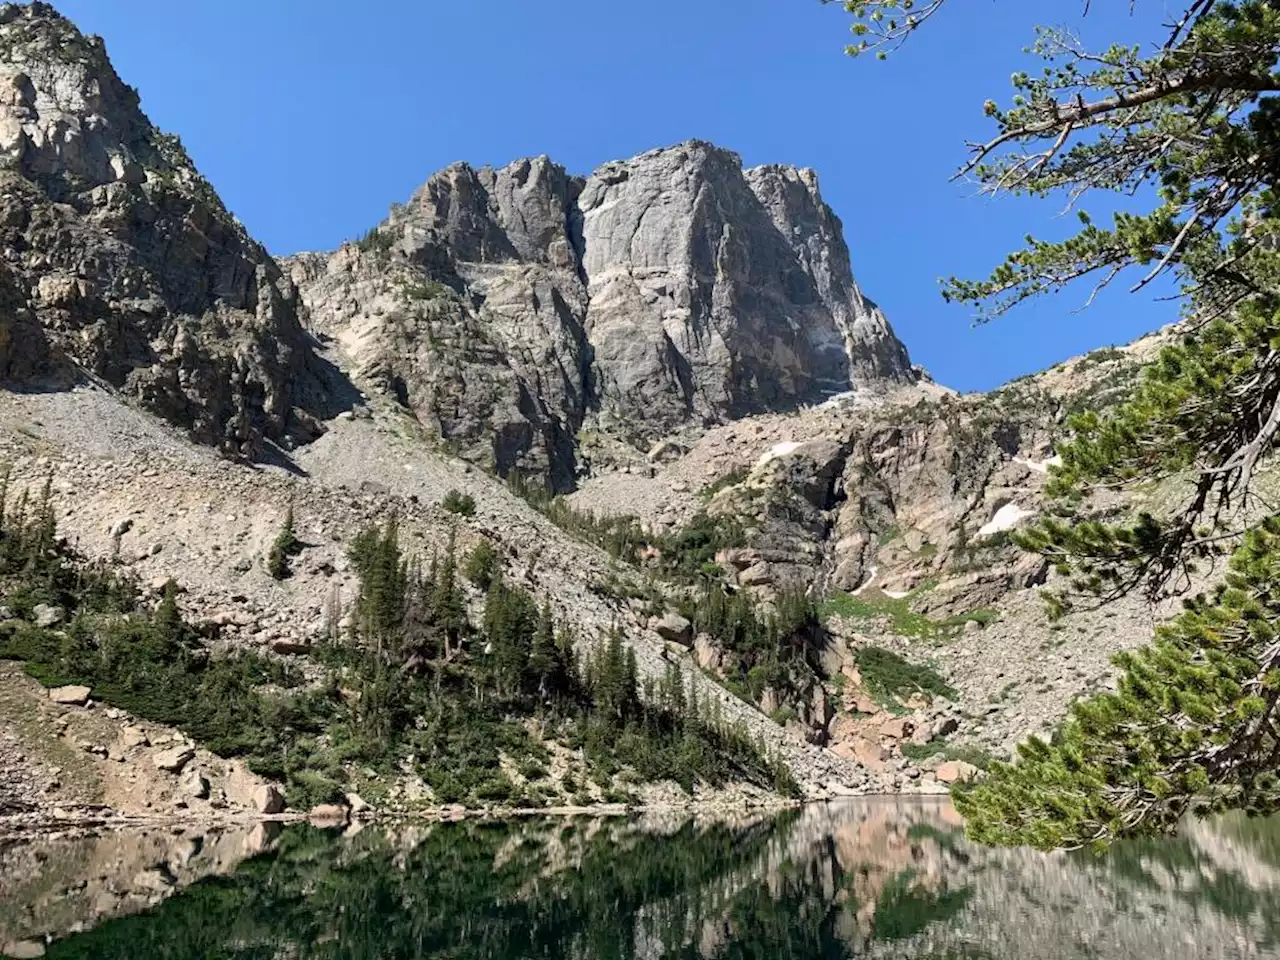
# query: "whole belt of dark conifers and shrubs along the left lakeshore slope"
413,683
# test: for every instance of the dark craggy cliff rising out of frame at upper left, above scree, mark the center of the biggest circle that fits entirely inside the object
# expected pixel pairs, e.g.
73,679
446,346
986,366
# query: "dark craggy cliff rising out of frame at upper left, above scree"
121,263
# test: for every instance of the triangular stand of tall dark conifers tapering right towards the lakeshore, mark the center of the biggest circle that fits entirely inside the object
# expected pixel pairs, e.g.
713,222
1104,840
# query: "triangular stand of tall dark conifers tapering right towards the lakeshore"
438,689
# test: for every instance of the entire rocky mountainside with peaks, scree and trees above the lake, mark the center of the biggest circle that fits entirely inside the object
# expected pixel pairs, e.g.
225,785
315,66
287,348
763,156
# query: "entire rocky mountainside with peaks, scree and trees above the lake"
767,518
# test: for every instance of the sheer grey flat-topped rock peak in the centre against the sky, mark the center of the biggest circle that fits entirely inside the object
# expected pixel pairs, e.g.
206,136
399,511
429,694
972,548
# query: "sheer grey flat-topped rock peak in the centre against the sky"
537,318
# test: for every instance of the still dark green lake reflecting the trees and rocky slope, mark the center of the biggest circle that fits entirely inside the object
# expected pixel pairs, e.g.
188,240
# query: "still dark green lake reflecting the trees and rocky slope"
875,879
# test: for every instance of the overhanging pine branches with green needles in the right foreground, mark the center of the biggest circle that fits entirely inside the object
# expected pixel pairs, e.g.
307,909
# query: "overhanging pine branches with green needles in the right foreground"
1194,726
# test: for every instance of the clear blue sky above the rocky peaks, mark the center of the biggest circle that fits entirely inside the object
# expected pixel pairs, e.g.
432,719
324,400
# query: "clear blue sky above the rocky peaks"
310,118
